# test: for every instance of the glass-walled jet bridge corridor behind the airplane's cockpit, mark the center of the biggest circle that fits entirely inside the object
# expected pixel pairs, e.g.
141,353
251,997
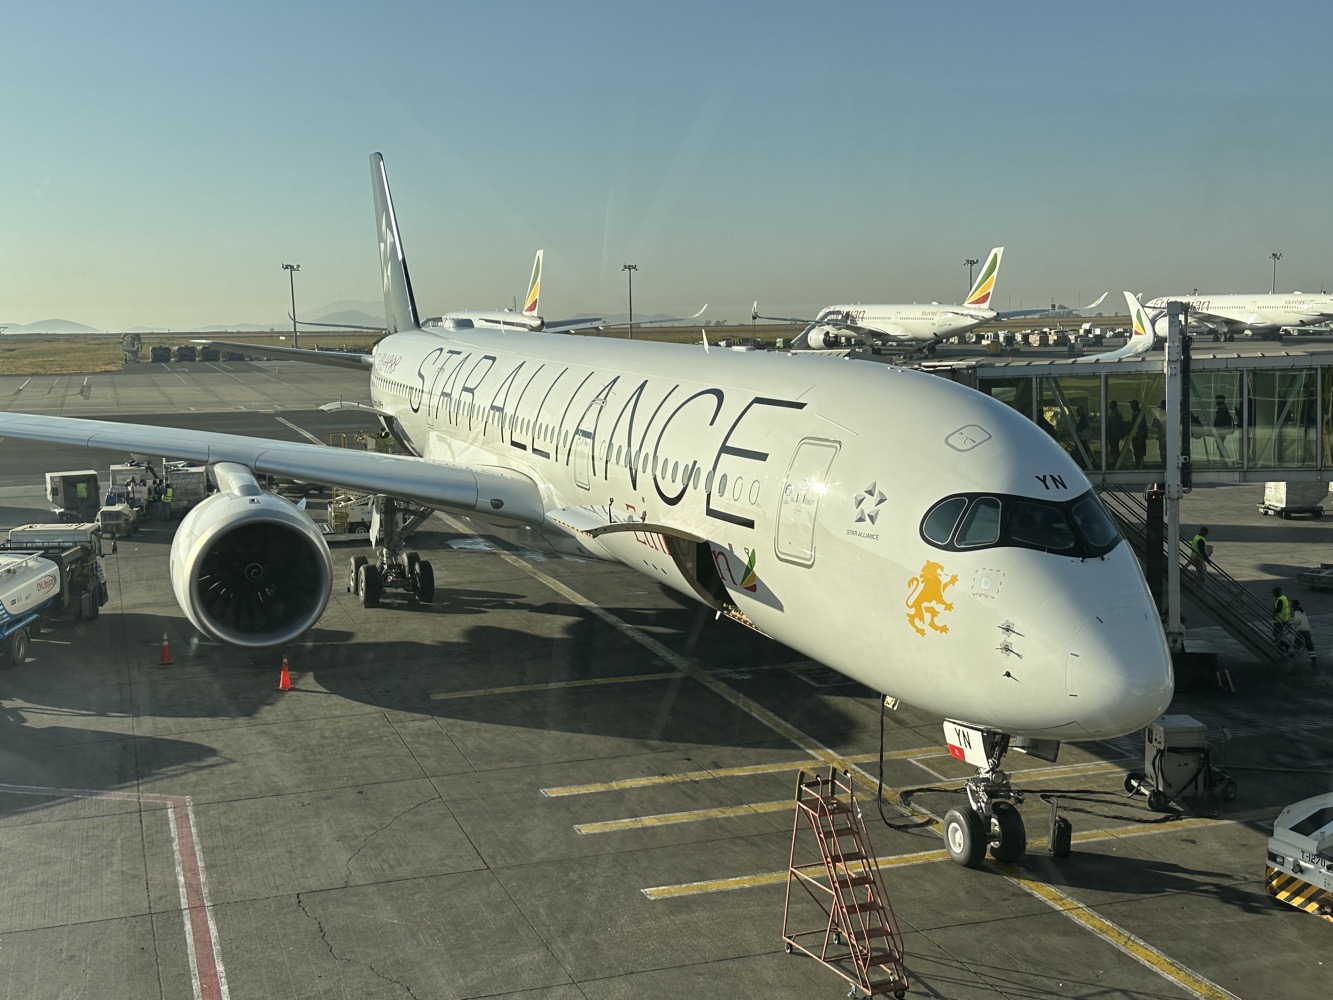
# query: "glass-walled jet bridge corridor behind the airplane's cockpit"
1250,418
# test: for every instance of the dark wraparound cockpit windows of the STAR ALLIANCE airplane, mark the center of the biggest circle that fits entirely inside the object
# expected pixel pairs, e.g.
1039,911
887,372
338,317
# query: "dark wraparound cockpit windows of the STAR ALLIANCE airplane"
1078,527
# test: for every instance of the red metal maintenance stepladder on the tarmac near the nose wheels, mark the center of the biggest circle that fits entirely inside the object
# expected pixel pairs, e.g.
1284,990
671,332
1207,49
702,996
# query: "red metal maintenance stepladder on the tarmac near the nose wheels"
832,867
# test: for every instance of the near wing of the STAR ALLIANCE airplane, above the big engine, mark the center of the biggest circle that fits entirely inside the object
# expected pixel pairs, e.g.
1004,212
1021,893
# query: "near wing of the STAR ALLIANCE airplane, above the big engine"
497,493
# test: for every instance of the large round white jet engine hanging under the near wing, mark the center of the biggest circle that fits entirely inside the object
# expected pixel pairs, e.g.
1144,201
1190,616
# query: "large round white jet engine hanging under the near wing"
249,567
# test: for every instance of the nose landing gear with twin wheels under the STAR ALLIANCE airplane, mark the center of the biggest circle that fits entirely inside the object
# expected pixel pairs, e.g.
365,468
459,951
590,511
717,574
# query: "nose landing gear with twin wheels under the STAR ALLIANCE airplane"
991,818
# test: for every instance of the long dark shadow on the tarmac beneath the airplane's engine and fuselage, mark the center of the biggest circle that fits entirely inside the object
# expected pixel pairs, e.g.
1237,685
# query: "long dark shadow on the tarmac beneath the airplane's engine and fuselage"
533,669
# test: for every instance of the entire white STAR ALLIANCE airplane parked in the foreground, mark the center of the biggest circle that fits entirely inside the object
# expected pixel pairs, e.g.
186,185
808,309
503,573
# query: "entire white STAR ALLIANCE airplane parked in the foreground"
995,591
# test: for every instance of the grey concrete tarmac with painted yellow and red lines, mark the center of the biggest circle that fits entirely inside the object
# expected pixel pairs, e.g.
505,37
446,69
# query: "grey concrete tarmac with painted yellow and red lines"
562,782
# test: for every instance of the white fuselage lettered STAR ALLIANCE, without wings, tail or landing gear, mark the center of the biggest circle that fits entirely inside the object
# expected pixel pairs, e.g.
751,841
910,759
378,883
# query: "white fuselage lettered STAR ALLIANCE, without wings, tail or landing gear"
731,477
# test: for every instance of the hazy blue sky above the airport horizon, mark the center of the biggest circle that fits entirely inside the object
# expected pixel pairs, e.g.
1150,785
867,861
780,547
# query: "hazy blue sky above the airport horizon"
163,159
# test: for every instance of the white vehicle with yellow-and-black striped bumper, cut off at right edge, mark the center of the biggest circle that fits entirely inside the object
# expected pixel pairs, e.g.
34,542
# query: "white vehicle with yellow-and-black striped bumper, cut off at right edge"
1300,857
